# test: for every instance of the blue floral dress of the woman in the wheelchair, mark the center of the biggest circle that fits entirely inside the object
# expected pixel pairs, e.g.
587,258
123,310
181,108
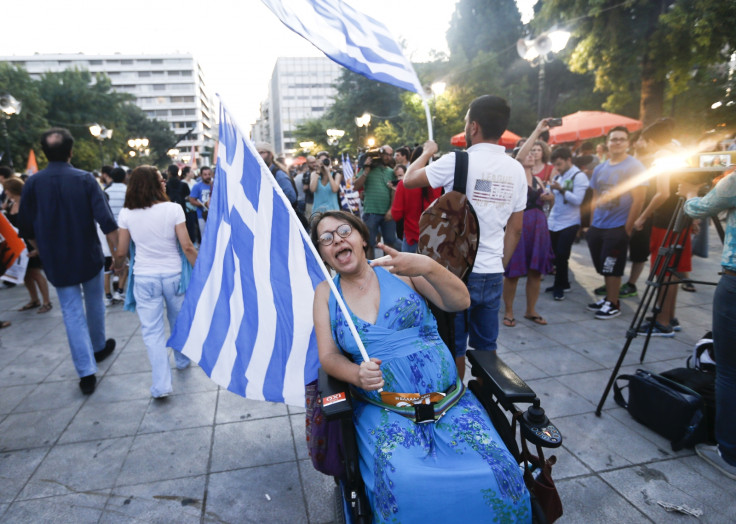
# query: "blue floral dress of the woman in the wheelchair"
457,467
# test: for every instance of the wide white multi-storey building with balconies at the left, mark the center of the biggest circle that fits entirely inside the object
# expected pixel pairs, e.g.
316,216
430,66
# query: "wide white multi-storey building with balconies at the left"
168,87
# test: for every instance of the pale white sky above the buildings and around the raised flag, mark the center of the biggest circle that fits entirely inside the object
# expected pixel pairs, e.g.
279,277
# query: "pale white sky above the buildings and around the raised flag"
235,41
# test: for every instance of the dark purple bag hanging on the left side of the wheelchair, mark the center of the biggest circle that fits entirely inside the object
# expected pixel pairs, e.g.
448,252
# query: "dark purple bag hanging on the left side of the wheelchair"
324,437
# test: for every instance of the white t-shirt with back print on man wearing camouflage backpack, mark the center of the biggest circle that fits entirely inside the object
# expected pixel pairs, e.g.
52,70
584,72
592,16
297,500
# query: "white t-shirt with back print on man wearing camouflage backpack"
496,188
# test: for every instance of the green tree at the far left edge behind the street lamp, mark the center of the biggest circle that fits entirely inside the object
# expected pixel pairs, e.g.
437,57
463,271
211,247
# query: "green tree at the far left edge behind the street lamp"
24,129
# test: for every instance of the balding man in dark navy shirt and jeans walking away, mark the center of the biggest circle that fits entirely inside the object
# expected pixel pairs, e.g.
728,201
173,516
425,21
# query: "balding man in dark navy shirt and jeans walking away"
58,210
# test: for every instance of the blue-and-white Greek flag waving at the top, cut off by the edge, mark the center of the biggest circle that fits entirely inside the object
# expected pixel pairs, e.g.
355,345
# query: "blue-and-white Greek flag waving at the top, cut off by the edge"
350,38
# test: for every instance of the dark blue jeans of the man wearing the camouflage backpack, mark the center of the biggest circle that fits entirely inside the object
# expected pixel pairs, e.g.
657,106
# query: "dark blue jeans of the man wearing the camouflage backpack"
480,320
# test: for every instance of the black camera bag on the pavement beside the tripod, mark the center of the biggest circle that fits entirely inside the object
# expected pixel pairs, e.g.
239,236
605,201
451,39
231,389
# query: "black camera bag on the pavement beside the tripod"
670,409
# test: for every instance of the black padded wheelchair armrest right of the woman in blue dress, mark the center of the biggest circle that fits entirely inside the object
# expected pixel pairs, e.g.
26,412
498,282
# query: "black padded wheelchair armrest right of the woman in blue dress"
505,385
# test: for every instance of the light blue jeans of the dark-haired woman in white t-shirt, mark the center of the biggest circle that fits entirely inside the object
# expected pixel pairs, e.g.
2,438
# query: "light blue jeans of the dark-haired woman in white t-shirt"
151,292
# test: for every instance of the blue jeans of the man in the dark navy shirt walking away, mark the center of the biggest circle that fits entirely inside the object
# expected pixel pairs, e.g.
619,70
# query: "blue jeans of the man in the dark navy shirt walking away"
85,325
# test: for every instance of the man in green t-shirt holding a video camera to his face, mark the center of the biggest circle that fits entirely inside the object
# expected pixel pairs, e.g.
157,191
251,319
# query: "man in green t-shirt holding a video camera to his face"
374,177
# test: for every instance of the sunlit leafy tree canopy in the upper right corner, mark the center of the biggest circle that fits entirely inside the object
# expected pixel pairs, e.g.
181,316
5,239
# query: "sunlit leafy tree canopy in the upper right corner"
640,48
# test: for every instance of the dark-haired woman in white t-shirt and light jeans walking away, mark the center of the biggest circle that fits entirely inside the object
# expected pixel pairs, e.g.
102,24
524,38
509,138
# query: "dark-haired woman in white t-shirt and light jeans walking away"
155,225
